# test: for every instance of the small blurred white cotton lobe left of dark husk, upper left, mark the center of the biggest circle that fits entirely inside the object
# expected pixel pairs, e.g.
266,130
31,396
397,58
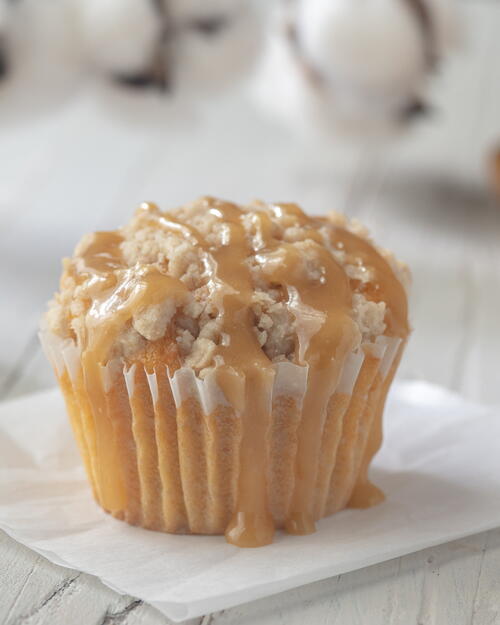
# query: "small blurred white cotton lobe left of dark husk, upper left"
120,36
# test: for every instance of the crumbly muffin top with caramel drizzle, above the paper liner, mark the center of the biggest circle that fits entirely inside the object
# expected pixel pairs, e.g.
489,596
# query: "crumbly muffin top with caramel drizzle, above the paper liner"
213,283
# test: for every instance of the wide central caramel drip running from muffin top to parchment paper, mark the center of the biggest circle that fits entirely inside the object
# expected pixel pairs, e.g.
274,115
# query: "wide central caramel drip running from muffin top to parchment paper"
246,378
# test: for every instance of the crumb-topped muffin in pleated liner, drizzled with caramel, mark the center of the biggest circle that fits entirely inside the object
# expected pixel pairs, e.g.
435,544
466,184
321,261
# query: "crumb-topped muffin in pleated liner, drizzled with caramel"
225,367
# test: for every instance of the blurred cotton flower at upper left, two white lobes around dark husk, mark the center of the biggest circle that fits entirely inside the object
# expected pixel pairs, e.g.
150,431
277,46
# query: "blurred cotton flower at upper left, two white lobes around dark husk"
183,46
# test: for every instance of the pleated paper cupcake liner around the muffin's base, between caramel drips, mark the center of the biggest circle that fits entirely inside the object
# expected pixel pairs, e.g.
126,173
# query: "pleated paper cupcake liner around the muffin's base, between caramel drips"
163,450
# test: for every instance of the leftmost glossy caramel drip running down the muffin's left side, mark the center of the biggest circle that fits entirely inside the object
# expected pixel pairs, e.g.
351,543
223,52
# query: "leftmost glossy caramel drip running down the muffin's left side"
118,292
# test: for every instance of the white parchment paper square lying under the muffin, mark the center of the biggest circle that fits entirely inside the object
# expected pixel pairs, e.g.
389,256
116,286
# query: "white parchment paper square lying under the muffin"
439,467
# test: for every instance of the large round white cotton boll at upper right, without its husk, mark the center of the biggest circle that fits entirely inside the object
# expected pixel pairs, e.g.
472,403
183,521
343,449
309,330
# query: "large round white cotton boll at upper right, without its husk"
378,45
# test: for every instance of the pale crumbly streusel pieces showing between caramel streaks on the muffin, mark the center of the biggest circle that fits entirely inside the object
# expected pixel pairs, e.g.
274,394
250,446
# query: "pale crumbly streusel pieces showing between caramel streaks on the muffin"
196,324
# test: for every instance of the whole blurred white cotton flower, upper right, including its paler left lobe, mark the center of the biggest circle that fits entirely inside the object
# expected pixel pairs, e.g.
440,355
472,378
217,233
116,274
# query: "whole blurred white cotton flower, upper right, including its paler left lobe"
358,68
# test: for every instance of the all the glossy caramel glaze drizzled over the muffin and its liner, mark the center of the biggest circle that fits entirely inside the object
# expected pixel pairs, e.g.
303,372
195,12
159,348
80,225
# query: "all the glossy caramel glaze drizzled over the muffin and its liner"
244,372
